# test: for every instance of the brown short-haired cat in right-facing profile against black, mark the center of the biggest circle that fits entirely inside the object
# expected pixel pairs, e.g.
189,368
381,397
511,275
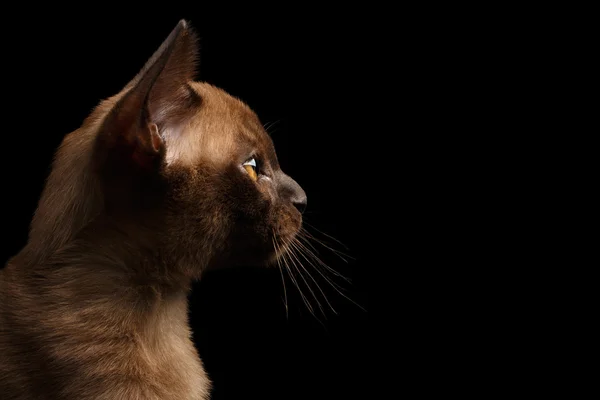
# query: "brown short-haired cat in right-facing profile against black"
162,181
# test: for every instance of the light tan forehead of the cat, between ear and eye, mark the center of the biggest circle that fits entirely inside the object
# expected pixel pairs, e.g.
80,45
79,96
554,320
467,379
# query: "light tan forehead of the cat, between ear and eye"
219,130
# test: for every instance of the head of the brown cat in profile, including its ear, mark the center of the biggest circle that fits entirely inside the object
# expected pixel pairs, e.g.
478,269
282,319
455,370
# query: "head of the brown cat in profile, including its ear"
183,160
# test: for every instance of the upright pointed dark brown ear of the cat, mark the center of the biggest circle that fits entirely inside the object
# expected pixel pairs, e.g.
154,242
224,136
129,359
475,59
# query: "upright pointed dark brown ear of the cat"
158,96
